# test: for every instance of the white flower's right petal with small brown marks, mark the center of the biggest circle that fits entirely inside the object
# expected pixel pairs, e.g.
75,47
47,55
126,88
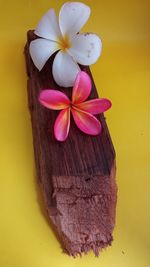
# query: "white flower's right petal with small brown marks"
86,48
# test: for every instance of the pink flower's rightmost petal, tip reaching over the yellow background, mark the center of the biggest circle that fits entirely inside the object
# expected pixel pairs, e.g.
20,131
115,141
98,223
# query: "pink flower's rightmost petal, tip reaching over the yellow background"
95,106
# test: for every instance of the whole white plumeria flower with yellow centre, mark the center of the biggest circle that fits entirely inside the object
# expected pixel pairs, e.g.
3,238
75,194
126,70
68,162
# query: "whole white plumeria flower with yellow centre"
63,35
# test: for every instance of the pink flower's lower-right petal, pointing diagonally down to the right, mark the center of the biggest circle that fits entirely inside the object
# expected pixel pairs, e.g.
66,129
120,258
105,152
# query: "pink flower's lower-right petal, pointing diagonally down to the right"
86,122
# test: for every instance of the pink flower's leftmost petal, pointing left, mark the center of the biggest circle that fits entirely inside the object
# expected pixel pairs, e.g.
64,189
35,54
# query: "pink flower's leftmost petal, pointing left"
54,99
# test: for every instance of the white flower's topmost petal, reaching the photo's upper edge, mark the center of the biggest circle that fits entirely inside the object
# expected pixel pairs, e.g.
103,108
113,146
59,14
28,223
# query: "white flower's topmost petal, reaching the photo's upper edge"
72,17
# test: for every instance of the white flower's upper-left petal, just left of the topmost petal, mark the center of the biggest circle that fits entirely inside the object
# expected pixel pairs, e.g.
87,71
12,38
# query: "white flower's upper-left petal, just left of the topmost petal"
48,26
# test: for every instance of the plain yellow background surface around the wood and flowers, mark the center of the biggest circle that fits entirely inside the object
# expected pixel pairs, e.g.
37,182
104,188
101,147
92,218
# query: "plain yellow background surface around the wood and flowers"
121,74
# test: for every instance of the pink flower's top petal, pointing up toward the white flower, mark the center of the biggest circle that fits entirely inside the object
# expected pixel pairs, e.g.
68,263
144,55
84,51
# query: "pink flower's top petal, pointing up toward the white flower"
82,87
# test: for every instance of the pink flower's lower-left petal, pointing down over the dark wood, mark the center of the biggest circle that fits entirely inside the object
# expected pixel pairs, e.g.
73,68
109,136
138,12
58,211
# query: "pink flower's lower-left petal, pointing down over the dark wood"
62,125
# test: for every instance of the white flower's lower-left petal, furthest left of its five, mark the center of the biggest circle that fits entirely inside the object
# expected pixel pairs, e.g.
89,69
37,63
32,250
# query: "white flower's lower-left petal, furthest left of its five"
41,50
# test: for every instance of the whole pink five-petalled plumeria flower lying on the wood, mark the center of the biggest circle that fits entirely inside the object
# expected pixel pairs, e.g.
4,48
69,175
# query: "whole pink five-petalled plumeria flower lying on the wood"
82,111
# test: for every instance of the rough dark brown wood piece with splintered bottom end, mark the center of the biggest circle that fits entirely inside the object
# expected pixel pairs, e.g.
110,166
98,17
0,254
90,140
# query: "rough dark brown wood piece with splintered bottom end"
77,176
